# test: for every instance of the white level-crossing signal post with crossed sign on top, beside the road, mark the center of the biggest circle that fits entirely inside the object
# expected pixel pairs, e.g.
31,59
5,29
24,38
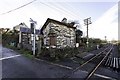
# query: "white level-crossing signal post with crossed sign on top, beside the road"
33,23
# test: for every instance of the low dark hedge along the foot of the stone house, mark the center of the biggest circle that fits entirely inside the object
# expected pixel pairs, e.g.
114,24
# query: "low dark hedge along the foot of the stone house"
59,54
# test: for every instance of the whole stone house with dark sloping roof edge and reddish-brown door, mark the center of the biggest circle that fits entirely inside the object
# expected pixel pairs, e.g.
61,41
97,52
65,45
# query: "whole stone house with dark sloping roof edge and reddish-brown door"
58,34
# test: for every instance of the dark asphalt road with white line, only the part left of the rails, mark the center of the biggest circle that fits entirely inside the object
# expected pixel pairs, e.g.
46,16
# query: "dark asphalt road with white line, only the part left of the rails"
15,65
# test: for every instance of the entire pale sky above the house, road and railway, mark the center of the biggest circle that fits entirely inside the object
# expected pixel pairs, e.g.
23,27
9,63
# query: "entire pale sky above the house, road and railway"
104,14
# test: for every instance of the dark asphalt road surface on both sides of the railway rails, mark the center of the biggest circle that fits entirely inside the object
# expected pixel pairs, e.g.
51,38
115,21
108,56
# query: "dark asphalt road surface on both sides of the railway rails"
15,65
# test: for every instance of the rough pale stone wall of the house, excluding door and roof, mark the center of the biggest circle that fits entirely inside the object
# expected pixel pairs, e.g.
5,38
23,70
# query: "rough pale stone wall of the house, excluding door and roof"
65,36
